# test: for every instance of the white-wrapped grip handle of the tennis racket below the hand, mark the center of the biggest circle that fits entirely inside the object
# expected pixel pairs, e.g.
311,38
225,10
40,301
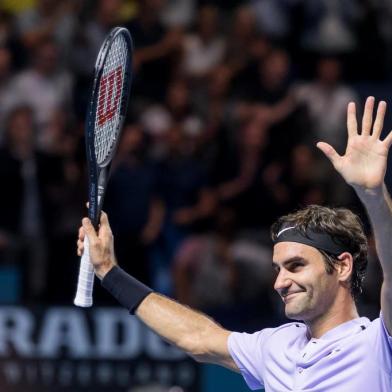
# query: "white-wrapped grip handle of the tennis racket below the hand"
84,292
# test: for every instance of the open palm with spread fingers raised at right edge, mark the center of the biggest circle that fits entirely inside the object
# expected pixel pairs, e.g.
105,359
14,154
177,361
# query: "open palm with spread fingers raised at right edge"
364,163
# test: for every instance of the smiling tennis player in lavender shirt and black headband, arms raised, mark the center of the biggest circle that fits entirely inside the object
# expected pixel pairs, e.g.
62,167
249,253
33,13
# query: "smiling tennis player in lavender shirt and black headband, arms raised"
320,258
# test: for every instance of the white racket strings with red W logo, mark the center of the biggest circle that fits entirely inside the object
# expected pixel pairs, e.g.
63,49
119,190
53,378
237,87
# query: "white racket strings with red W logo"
109,100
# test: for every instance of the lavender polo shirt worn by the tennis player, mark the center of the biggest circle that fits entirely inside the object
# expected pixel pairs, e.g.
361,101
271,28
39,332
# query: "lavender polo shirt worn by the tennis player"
354,356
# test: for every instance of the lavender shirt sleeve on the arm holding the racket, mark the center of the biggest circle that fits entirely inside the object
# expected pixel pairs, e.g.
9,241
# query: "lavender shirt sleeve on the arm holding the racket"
246,351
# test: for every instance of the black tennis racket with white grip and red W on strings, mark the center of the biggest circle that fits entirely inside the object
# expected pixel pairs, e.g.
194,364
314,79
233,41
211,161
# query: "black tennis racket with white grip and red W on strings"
105,116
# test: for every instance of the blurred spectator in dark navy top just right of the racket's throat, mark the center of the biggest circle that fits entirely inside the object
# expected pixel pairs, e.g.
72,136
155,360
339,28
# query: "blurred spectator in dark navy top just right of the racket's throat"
136,211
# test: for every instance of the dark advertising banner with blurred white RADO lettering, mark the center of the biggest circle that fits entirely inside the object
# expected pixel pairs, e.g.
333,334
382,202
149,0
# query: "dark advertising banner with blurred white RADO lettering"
101,349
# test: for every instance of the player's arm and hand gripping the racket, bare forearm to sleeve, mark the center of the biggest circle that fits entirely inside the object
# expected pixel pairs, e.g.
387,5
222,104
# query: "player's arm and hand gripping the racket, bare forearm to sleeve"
187,329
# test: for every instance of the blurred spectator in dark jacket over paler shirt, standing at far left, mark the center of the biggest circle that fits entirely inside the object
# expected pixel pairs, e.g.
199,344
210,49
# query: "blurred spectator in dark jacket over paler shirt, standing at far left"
31,178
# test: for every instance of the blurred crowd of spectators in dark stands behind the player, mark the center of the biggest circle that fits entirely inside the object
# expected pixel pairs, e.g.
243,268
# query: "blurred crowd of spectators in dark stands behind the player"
228,100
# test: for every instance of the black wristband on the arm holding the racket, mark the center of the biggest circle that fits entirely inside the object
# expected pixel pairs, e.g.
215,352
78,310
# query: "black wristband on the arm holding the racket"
127,290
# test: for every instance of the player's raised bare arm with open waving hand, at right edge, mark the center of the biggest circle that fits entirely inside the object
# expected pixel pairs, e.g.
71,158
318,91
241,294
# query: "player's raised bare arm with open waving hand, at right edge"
363,166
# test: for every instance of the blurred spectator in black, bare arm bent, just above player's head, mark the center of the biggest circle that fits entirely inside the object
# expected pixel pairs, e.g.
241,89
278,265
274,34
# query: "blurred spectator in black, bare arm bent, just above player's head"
243,176
